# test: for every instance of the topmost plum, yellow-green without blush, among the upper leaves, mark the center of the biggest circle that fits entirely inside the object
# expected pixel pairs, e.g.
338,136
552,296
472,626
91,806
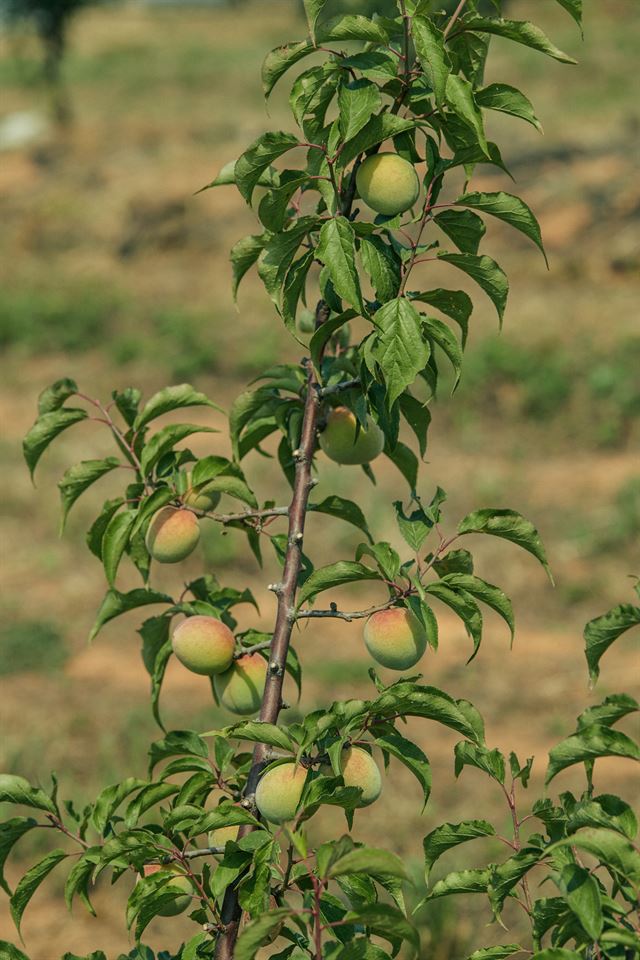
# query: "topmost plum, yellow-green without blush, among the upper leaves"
387,183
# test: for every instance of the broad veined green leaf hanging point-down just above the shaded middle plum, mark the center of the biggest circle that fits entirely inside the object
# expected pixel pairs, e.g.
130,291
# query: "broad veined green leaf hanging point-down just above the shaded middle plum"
400,348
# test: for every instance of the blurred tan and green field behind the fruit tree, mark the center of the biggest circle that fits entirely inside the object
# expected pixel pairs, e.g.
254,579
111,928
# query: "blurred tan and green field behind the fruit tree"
114,273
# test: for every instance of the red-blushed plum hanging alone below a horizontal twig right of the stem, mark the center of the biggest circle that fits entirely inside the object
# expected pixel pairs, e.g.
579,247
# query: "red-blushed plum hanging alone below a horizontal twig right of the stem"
395,638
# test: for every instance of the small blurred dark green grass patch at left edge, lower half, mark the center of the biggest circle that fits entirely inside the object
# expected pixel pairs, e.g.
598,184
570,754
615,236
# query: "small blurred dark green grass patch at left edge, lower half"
31,645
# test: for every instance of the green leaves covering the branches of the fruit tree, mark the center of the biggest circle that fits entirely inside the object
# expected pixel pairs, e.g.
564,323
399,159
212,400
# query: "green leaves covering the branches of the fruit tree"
342,900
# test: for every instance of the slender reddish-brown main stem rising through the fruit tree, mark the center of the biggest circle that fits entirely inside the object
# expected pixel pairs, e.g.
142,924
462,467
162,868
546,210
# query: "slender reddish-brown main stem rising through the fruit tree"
285,618
